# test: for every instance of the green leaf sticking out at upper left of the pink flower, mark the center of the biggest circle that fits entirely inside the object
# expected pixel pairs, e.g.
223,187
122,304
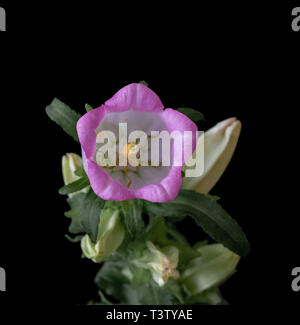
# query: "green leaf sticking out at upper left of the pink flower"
64,116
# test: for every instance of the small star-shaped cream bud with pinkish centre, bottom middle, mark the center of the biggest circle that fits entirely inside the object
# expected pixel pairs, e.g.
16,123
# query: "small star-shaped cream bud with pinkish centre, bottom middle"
161,262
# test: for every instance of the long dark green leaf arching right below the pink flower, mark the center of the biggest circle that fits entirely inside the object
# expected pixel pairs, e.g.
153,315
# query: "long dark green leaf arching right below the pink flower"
208,214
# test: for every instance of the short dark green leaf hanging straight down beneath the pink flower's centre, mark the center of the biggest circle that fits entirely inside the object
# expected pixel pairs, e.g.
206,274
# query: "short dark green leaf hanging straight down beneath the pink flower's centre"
132,210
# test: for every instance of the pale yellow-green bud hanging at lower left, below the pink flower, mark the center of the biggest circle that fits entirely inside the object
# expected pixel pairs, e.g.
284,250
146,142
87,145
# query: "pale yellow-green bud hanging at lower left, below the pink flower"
110,236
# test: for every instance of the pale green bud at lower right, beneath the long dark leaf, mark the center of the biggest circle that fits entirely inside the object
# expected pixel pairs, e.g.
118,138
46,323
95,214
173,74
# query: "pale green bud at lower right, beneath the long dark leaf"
215,265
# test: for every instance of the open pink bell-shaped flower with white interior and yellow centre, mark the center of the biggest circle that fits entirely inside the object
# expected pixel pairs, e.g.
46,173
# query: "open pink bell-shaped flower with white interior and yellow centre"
142,109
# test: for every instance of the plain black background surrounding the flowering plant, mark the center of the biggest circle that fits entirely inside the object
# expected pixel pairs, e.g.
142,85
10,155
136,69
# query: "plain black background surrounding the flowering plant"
224,59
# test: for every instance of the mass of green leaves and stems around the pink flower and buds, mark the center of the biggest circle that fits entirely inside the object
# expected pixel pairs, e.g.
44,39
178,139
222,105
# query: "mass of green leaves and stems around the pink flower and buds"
120,280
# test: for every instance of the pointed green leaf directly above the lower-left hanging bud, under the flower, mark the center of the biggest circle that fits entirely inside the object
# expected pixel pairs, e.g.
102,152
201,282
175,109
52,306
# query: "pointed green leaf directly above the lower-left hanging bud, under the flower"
92,206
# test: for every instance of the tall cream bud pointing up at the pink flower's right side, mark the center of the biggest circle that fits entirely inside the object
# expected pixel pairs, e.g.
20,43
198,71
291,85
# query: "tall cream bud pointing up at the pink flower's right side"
219,145
